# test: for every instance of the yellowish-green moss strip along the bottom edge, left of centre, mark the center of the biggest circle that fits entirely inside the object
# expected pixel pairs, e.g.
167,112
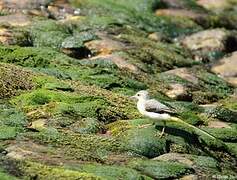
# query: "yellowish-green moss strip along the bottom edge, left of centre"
32,170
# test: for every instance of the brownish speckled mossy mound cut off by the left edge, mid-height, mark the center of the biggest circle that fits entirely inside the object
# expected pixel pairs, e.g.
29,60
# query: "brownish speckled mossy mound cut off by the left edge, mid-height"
14,80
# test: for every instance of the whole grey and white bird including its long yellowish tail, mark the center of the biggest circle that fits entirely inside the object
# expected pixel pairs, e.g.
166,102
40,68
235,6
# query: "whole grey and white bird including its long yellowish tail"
155,110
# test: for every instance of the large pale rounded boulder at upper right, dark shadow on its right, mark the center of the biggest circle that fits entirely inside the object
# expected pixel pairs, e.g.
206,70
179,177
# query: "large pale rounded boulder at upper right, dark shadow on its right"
209,44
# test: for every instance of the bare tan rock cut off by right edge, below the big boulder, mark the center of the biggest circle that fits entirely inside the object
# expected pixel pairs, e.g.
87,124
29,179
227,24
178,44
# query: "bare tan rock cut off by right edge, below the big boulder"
227,68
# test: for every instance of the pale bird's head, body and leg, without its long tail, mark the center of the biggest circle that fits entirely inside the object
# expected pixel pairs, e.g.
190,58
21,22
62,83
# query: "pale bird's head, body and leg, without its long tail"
152,108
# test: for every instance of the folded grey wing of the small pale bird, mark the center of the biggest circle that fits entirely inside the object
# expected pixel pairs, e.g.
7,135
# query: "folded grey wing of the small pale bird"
153,105
